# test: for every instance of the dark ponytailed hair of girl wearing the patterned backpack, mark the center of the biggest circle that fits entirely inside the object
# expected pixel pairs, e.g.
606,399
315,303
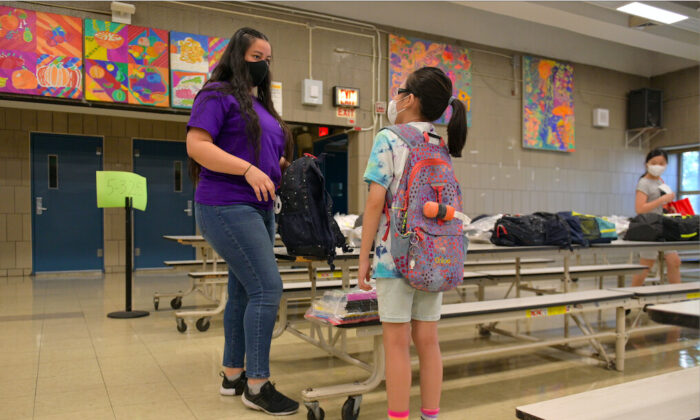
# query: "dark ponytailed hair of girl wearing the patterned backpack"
434,89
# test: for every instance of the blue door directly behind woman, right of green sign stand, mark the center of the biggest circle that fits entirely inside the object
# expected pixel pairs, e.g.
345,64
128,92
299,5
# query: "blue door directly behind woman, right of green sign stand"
170,209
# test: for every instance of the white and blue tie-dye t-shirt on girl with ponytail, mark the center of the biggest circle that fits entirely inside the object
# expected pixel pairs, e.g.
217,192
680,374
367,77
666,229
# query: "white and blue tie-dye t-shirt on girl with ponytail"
385,167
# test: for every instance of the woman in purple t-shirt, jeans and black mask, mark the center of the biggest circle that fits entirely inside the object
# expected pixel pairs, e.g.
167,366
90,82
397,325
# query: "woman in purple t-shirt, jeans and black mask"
237,145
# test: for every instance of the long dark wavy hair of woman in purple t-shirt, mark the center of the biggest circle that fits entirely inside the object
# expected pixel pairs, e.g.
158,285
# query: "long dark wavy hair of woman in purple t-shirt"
233,78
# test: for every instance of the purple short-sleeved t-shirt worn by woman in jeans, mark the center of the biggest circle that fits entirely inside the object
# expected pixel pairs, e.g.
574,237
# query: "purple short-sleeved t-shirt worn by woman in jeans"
220,116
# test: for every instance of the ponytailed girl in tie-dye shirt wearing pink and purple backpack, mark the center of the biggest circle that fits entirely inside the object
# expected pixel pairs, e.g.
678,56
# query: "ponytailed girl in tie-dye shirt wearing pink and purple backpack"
407,154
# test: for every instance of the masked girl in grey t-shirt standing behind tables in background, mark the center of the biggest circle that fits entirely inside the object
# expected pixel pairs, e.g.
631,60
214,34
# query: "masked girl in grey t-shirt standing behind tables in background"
651,196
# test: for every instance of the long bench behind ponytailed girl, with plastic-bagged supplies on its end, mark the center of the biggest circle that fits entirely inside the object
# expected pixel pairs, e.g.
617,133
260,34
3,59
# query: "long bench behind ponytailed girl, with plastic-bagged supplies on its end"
459,314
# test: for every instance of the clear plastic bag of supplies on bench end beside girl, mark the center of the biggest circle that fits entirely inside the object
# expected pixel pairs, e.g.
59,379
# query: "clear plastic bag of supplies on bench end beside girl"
339,307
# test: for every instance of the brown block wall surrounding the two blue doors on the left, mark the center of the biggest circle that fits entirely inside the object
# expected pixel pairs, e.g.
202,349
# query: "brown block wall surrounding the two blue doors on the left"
15,175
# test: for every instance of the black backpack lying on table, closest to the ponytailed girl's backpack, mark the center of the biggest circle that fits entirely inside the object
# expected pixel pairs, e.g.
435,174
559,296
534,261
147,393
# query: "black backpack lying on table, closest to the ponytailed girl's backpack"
518,231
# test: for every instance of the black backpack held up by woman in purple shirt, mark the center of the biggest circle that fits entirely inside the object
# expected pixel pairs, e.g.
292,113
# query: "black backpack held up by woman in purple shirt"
306,223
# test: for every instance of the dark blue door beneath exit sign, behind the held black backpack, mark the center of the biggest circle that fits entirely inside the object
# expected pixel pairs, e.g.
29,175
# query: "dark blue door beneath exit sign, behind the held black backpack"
335,169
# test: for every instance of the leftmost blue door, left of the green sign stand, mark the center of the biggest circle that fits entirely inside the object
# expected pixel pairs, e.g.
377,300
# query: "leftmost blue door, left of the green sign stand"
66,223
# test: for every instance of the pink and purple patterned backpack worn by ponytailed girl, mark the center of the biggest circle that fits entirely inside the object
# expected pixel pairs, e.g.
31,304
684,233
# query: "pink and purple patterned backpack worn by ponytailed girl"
428,252
